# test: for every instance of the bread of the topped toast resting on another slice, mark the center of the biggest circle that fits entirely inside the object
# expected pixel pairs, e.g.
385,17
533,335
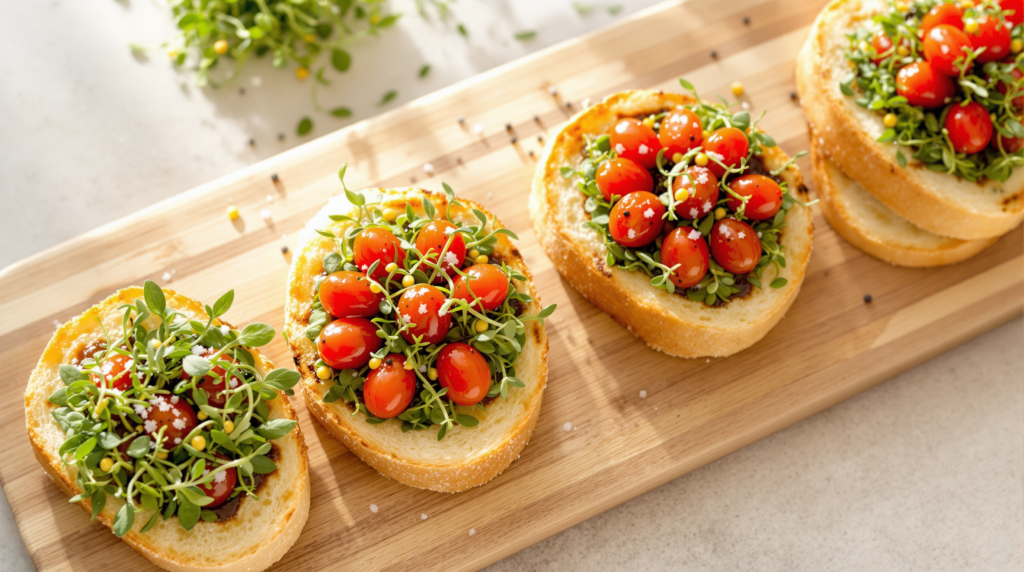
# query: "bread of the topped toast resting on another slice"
940,203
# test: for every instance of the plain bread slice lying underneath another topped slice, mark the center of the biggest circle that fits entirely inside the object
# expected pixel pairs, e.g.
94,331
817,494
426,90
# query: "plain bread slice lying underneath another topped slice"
875,229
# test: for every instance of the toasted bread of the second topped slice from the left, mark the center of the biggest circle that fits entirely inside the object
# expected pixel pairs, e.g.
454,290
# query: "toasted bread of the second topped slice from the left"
467,457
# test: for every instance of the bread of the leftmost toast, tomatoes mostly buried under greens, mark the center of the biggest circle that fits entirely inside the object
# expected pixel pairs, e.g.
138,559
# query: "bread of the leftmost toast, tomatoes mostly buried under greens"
259,535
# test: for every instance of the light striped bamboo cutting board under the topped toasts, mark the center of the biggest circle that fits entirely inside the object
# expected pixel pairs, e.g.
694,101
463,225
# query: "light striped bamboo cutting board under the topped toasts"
619,446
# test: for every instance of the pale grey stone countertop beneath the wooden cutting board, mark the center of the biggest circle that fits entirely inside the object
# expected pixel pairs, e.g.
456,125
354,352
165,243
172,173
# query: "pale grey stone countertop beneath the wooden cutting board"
921,473
